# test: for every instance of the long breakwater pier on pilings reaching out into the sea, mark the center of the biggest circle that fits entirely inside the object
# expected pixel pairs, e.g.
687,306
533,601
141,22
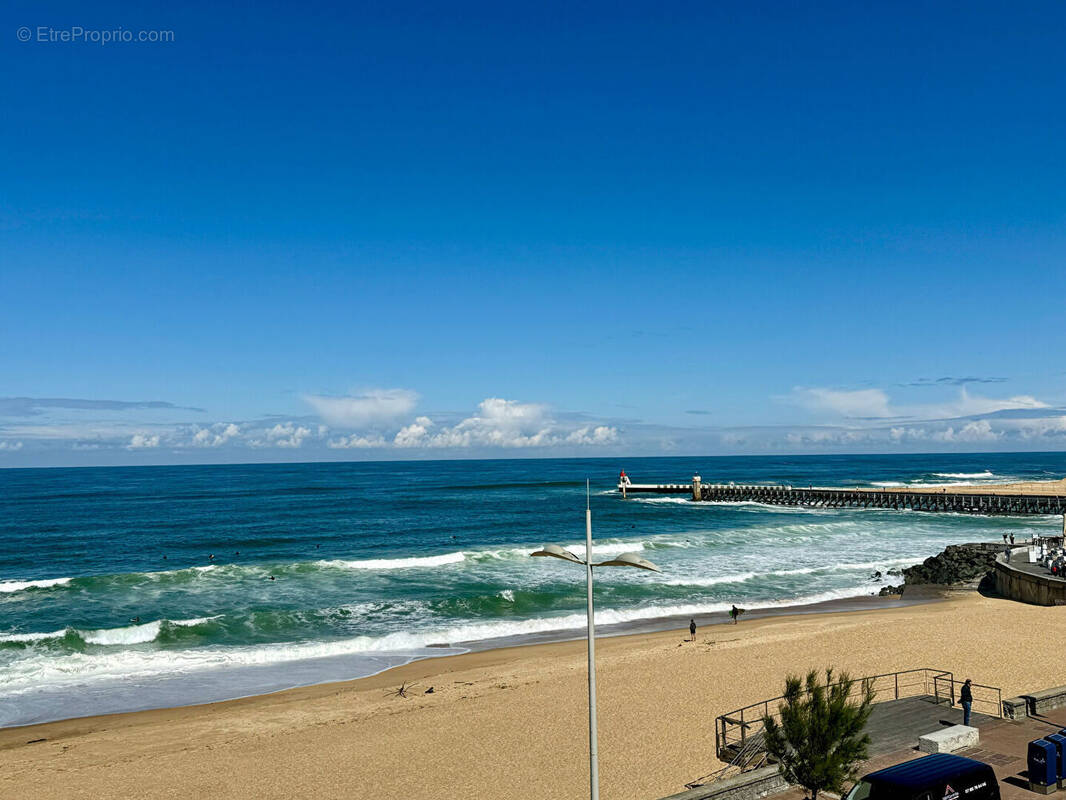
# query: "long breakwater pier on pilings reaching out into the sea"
955,500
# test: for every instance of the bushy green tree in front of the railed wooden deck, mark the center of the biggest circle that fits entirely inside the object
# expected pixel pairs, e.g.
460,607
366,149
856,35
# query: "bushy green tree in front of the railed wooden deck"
819,741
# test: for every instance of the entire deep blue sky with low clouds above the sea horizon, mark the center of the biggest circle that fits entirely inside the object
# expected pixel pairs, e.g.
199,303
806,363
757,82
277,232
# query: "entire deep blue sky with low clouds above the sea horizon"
392,231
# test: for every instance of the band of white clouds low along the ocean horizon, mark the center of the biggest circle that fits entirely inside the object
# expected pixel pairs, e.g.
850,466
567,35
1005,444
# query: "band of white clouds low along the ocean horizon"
387,424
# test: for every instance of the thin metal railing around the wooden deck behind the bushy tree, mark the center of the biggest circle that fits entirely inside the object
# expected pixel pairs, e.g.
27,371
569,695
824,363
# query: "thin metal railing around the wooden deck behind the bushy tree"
734,729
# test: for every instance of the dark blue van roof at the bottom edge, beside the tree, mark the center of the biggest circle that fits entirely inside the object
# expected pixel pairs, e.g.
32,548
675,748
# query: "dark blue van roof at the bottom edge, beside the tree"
938,777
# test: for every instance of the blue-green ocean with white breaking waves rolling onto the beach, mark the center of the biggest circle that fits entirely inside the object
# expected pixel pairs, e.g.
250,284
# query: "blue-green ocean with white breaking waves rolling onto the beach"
110,599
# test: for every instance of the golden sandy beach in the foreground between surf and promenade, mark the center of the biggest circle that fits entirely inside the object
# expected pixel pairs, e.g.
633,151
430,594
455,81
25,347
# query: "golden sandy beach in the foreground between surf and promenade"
512,723
